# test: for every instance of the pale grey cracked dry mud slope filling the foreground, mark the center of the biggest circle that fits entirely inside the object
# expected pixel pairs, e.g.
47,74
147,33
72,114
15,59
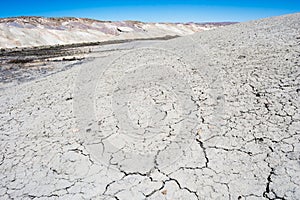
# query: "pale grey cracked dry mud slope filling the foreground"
210,116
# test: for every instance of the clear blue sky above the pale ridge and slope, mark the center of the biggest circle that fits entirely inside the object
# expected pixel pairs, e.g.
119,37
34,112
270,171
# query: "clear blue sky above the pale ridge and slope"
152,11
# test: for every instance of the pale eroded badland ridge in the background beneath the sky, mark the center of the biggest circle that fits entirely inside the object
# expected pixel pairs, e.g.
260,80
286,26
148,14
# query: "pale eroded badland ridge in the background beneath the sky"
38,31
